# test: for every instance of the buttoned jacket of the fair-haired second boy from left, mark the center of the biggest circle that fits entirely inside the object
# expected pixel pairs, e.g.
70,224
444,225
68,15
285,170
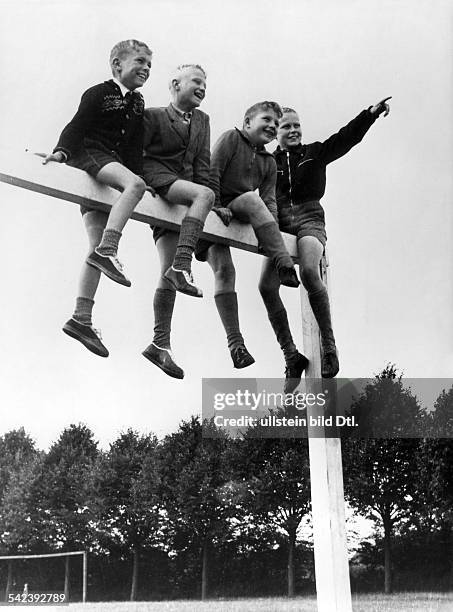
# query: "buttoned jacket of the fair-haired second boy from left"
173,149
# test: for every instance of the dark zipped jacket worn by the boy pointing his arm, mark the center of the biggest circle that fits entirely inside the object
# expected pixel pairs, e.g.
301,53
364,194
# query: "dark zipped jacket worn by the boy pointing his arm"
301,171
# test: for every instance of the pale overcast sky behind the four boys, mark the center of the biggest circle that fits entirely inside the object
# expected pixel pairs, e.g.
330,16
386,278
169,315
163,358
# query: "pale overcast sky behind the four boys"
388,202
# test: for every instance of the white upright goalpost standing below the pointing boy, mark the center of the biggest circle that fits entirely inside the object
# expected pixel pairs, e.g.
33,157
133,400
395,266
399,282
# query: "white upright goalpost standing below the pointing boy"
333,589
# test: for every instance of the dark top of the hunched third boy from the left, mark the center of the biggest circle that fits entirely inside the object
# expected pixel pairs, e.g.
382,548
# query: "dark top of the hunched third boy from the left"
237,166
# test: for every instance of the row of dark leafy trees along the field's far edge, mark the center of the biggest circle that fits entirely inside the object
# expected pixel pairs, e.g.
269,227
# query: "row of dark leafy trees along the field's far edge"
190,516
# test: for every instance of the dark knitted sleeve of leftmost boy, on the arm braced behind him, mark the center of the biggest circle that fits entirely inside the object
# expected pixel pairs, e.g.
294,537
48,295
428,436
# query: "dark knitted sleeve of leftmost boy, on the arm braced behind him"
72,135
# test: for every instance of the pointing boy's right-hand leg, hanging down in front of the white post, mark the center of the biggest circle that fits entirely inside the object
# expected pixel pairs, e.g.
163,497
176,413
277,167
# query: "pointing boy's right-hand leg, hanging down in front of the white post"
310,253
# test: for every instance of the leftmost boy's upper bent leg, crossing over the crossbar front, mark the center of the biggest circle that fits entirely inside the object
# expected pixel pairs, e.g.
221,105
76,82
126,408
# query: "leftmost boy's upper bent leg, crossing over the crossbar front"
104,257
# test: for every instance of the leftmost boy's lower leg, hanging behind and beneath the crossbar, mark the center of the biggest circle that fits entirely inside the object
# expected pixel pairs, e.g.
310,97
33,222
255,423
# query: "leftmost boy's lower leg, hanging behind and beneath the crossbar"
80,325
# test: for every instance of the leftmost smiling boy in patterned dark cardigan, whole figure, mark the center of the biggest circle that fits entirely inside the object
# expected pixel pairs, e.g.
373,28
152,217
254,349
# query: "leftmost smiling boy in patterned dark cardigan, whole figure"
105,138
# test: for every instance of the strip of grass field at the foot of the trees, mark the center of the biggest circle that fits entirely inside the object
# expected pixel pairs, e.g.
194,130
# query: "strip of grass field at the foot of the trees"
401,602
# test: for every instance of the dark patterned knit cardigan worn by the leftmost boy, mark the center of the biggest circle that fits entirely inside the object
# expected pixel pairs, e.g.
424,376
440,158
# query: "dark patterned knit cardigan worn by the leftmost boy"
107,119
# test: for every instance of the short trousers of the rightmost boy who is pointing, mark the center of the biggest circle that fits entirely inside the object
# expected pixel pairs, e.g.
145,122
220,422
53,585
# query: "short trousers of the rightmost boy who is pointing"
305,219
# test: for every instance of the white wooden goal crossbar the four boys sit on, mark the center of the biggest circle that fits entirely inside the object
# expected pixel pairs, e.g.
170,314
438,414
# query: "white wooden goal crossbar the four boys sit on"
26,170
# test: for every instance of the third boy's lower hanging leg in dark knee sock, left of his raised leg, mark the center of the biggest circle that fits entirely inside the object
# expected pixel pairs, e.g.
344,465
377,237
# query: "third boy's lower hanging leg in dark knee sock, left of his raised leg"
219,258
